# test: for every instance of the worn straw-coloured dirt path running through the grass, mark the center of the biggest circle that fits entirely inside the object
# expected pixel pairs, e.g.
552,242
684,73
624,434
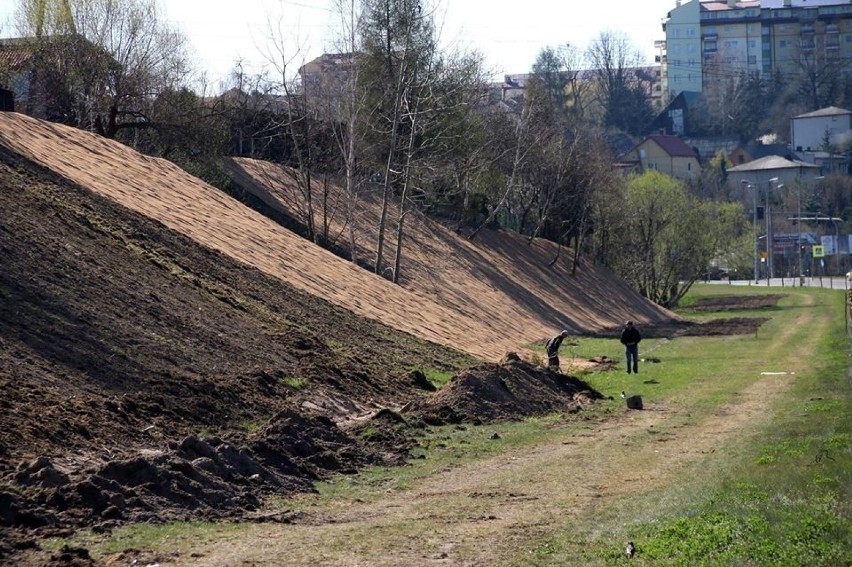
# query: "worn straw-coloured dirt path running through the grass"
483,513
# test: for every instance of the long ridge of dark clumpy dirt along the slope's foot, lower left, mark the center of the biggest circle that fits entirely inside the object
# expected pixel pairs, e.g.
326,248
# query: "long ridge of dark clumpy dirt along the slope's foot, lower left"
195,478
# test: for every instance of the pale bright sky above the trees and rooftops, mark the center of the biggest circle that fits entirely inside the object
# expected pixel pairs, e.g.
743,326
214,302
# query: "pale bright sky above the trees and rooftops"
510,34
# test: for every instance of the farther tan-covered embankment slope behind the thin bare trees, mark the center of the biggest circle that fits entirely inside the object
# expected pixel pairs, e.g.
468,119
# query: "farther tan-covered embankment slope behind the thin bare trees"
501,279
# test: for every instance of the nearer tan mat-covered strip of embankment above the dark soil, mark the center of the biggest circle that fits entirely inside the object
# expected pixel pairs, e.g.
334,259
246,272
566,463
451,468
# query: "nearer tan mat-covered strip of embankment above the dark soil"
162,191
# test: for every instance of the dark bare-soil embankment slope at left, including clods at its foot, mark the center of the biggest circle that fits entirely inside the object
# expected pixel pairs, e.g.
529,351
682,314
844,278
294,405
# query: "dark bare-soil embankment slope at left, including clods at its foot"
146,377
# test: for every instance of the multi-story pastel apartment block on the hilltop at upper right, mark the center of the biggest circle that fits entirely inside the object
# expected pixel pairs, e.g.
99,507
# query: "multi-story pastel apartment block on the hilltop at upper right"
710,40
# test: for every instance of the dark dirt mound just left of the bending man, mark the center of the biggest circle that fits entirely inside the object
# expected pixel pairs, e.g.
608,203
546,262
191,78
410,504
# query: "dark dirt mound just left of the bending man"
510,390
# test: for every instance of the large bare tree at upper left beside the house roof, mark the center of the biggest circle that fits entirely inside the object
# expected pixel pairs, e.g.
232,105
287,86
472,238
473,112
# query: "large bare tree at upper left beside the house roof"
116,57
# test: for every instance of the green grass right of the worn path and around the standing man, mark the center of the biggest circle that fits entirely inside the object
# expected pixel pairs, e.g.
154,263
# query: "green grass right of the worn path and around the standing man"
781,497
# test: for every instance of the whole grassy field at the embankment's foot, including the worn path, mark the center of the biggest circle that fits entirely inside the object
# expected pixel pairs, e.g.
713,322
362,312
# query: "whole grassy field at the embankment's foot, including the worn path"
702,484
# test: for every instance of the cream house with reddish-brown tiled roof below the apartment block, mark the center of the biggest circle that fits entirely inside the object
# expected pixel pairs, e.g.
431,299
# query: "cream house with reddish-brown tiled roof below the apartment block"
666,154
